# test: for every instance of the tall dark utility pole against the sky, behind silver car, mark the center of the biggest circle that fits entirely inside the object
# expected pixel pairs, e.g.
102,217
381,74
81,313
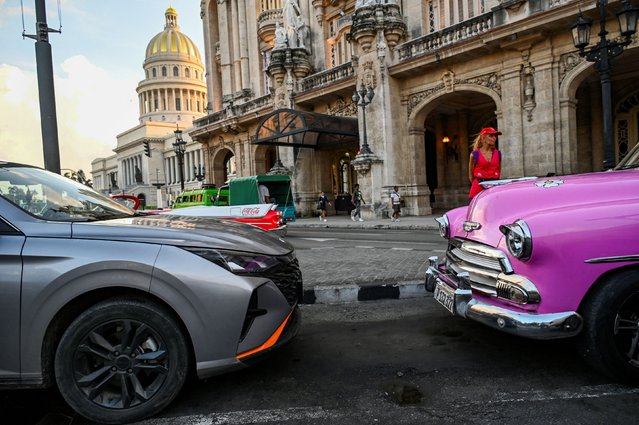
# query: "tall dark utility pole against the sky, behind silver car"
44,64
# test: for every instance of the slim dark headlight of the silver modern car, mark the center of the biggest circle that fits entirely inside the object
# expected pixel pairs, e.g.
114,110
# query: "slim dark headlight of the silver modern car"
236,261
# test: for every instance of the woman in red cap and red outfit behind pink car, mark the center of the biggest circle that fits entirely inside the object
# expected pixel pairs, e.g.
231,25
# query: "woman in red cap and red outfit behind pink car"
485,160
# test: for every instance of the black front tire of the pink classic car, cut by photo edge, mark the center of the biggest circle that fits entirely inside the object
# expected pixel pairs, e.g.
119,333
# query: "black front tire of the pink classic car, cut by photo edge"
609,341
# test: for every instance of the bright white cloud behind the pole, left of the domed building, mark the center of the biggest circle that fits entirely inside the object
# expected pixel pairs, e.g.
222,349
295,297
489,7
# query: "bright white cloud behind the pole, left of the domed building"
92,108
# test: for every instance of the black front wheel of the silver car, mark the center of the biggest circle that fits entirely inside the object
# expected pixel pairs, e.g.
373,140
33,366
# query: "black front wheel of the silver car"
121,360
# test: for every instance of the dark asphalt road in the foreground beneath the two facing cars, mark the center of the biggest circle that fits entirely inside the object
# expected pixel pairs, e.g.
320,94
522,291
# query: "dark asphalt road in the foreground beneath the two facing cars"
400,362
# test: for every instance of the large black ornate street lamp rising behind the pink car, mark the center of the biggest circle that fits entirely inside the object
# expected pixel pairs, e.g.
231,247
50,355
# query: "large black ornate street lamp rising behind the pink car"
602,54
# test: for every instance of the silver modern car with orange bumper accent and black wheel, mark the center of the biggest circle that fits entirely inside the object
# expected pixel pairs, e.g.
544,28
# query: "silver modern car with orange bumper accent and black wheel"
116,308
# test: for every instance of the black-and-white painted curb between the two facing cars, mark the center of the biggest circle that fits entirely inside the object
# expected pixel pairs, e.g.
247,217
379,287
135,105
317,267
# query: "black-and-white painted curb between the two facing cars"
336,294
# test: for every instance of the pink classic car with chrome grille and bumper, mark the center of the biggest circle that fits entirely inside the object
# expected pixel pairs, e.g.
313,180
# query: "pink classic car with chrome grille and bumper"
550,257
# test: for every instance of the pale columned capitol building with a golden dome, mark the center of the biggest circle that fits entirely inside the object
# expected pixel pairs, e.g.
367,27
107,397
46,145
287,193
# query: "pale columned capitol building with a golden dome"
171,96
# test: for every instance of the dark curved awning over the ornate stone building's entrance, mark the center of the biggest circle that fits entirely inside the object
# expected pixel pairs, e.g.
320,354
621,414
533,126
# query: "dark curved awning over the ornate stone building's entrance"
288,127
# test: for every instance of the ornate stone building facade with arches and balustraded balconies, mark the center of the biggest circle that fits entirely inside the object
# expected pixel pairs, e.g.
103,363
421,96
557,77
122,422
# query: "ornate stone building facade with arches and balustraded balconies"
440,70
